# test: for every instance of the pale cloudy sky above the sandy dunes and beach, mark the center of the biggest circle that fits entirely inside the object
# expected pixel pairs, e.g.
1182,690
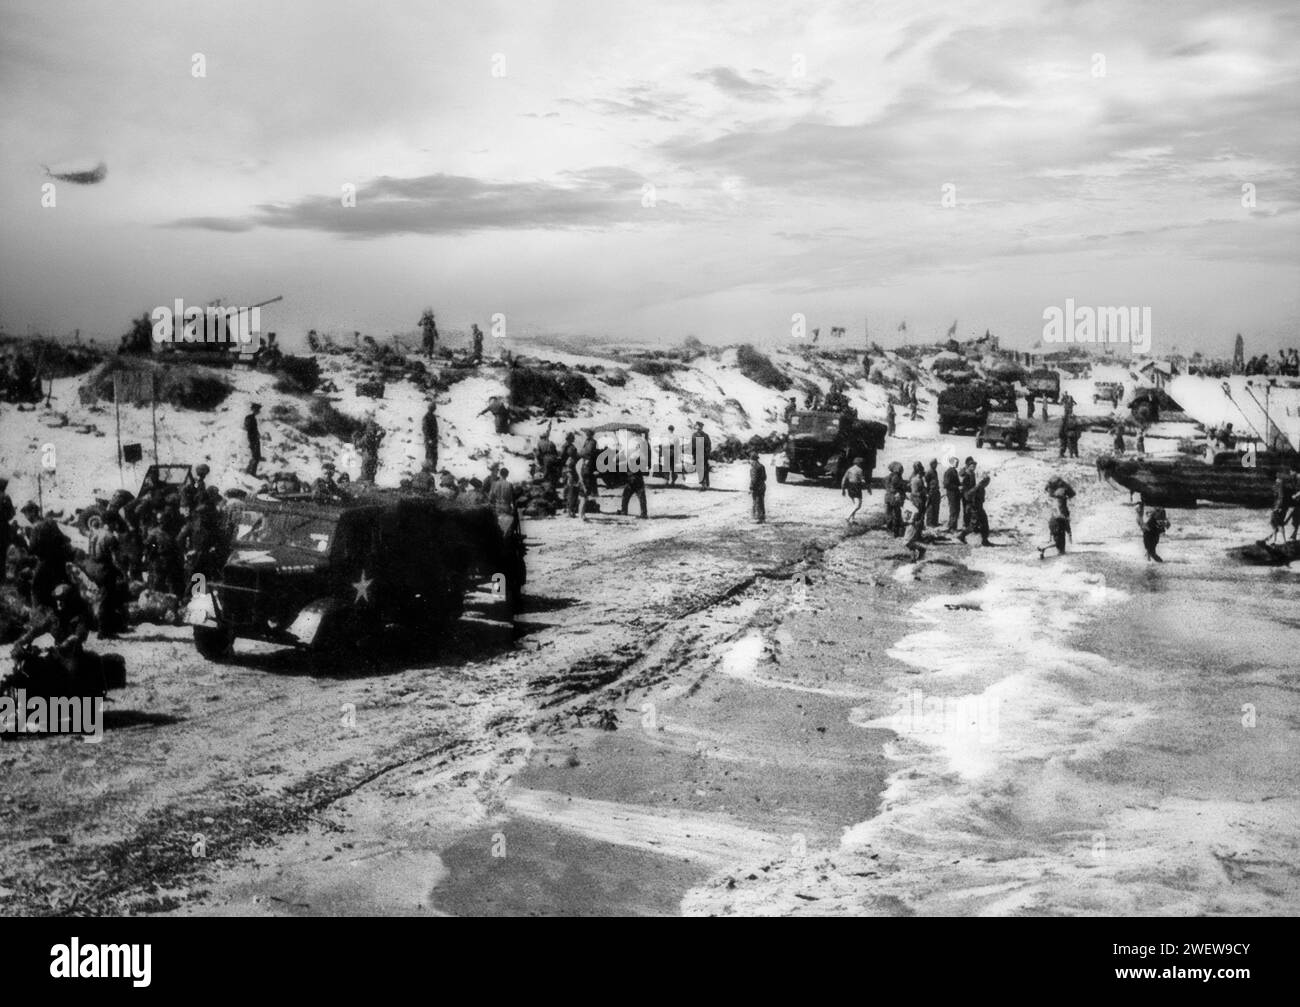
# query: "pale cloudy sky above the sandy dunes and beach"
648,171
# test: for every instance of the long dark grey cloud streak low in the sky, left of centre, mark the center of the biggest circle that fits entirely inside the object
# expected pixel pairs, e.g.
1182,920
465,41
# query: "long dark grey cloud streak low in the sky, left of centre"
457,205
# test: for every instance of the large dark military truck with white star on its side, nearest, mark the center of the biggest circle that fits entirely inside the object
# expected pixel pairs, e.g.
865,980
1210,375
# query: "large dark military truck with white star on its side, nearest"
323,576
